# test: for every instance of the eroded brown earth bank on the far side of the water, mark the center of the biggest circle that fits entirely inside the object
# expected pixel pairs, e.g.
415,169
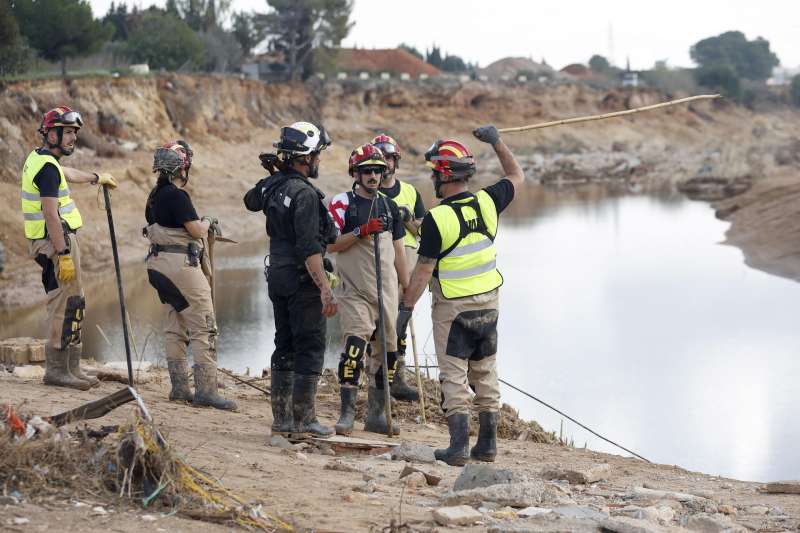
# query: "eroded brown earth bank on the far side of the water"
230,121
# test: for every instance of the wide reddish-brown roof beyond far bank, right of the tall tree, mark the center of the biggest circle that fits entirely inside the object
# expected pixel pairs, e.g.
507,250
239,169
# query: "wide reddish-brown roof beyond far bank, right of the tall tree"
394,61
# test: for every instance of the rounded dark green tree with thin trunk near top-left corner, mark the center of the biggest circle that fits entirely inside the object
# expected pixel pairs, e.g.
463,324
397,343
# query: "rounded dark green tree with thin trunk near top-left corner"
60,29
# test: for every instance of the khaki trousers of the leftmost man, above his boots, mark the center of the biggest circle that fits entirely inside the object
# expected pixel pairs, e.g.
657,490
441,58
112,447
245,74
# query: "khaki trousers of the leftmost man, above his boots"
66,304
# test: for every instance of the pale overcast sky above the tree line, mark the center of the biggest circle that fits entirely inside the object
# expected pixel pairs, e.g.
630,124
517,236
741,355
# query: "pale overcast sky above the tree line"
563,31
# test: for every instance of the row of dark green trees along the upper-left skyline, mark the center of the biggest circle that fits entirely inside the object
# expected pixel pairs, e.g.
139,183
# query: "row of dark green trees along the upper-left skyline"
184,34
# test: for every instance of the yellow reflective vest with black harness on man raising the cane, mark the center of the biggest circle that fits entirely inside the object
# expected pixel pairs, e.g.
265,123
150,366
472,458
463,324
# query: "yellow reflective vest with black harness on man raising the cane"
467,265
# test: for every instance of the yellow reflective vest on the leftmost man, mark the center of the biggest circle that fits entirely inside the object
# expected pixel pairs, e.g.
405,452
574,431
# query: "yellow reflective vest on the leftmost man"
32,202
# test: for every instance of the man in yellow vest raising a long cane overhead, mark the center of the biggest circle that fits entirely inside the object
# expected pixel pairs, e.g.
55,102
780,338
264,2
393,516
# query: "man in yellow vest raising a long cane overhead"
457,251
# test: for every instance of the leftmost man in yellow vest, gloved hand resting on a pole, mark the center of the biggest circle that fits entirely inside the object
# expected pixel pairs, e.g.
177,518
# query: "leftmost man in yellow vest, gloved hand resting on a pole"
52,220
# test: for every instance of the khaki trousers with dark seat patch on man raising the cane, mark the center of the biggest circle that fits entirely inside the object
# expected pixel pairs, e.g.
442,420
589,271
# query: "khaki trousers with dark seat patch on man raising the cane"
465,336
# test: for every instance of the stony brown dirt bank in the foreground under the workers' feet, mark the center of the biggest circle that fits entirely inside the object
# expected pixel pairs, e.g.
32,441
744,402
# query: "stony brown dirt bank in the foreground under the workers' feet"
314,490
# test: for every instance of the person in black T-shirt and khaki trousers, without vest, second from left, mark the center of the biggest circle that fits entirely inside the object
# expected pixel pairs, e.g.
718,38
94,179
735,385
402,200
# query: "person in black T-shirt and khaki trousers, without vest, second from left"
174,270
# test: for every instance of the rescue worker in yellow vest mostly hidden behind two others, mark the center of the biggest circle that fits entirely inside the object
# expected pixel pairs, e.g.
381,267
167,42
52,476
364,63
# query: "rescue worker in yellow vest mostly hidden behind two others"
412,210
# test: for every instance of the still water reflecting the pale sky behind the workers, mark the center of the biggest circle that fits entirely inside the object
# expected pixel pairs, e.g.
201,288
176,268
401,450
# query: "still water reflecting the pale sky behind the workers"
624,311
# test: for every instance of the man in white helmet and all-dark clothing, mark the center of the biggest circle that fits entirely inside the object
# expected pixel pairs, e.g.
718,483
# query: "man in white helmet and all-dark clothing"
299,230
